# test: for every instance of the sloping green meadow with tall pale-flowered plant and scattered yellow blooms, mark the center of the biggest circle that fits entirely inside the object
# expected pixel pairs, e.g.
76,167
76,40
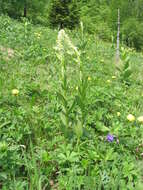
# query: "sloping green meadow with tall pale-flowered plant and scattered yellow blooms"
67,119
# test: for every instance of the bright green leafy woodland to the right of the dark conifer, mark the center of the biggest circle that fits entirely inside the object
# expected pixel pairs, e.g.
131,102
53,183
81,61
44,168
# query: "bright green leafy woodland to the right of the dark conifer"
100,17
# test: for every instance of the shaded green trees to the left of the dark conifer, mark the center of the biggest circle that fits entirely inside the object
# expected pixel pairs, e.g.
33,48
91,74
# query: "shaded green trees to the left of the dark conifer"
32,9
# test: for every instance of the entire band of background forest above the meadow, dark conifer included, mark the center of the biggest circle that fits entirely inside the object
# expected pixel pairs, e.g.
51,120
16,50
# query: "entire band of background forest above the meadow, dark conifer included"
98,16
